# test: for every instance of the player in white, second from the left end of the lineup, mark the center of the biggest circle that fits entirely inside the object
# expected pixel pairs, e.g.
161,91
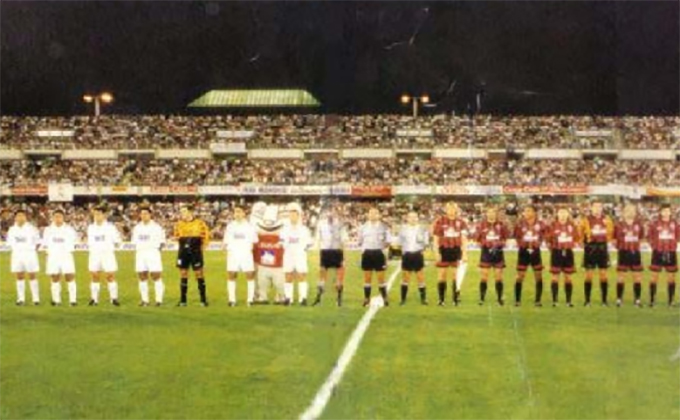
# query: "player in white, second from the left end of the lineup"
60,240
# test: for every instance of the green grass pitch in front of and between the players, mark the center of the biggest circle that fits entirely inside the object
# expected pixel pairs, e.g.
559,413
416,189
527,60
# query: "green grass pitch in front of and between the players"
269,362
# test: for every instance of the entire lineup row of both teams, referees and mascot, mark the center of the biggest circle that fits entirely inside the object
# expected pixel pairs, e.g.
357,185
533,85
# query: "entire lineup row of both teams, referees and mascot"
277,259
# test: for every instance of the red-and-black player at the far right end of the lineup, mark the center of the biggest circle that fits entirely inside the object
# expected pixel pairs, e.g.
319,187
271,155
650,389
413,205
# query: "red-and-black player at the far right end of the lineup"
663,236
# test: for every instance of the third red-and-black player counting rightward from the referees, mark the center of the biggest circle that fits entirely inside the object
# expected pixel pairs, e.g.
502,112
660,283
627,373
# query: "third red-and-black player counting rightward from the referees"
530,233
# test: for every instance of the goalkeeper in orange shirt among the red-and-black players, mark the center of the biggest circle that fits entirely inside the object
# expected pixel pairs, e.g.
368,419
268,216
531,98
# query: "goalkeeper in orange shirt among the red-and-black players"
597,230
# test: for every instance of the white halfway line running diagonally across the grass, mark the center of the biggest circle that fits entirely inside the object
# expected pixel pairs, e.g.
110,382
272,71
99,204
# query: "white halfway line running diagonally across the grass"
327,389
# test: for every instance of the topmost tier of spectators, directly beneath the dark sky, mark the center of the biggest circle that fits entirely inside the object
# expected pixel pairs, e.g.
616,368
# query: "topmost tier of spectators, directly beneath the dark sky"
330,131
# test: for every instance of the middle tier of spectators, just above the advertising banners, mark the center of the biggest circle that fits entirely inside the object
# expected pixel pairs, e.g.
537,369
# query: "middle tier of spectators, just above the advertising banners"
362,172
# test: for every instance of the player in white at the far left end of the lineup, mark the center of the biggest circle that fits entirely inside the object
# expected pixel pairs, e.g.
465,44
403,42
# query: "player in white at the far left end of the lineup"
24,239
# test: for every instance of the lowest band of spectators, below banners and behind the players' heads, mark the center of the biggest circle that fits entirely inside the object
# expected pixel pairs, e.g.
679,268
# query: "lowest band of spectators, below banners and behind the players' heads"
218,212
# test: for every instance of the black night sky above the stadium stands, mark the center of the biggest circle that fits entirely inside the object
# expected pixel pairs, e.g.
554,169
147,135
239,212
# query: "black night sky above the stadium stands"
527,57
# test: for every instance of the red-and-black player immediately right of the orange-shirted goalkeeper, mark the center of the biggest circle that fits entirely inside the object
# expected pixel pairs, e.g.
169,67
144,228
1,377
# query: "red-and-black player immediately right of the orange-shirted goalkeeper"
628,233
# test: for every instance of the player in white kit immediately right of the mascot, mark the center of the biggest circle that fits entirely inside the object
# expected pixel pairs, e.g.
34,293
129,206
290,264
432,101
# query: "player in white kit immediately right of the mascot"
295,239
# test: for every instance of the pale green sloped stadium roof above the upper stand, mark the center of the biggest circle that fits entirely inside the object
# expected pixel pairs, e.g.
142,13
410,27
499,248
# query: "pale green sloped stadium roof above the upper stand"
255,98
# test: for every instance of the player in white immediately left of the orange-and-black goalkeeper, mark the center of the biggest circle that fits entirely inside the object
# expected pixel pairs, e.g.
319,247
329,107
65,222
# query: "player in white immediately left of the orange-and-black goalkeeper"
148,238
